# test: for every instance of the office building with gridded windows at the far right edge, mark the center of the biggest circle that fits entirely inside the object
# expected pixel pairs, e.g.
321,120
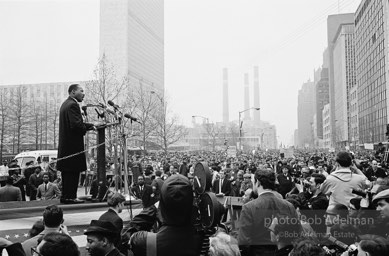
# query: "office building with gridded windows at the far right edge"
371,51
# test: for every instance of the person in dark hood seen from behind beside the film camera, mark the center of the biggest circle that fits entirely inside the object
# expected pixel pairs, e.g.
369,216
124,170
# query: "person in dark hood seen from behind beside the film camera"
177,236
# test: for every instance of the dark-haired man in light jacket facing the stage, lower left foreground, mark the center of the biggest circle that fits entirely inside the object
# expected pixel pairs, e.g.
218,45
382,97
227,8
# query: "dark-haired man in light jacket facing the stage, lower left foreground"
53,222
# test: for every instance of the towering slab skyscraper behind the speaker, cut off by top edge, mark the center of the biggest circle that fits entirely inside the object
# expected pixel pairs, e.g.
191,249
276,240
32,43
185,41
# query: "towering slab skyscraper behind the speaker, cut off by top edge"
132,40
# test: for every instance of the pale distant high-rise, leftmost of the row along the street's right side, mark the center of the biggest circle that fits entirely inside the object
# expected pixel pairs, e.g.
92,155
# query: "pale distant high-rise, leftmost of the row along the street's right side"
305,113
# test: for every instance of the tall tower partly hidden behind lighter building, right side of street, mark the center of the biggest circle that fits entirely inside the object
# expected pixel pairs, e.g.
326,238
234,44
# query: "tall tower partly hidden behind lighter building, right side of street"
334,23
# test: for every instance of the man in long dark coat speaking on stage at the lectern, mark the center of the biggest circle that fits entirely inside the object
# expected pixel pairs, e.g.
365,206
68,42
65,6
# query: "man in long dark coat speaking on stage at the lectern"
71,141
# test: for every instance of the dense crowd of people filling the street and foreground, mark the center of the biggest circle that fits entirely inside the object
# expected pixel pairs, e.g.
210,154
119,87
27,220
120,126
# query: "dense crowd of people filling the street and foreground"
313,203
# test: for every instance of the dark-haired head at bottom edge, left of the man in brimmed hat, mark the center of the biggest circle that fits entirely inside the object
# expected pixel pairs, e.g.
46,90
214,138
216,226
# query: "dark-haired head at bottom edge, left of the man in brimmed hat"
57,244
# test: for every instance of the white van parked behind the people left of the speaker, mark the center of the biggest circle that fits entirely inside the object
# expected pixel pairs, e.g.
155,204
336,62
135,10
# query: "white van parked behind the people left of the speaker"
41,157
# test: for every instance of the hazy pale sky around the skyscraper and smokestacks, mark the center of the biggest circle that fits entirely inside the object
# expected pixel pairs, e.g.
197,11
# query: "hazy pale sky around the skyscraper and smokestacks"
54,41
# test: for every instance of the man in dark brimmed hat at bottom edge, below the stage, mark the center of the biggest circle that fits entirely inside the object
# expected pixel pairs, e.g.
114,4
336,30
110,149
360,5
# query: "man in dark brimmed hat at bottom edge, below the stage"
101,239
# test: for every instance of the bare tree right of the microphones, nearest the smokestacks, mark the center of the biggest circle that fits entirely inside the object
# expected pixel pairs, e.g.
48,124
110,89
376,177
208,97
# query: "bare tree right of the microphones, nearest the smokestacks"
168,131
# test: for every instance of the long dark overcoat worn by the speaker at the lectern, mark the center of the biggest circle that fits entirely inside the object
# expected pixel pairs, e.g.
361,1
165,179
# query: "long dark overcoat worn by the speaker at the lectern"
71,137
